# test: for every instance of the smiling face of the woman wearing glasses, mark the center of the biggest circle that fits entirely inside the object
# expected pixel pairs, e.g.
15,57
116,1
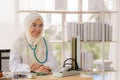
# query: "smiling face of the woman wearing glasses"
36,28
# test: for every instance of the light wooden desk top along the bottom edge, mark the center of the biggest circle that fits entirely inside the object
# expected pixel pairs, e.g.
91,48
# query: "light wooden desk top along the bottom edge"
50,77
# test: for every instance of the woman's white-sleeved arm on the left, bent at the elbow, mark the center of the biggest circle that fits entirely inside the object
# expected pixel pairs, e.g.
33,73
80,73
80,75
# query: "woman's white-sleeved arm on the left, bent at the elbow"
15,62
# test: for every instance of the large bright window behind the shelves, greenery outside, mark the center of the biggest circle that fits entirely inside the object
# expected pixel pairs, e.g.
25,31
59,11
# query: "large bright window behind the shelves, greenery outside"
54,27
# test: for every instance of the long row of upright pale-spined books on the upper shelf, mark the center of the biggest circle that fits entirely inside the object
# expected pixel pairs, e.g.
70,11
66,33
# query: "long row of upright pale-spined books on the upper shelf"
88,31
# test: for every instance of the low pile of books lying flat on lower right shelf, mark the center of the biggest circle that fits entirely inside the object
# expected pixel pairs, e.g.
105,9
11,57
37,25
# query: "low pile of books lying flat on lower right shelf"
107,65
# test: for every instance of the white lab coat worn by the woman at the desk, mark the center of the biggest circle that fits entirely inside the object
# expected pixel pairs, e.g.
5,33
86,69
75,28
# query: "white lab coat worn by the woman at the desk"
21,57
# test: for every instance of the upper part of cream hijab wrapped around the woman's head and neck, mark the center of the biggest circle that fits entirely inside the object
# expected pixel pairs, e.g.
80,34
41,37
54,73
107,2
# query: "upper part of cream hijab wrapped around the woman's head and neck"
28,21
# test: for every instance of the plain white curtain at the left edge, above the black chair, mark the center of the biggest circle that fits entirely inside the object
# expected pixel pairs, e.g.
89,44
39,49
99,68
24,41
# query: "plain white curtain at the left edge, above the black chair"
7,23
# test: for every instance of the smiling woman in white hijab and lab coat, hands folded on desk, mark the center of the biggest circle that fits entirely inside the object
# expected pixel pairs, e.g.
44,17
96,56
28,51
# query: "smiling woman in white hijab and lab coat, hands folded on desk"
31,51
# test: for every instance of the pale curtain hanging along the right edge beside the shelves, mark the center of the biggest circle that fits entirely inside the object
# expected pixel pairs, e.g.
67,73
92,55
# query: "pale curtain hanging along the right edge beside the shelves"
115,46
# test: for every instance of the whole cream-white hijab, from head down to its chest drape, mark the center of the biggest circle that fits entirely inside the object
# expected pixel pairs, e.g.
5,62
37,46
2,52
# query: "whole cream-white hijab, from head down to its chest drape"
28,54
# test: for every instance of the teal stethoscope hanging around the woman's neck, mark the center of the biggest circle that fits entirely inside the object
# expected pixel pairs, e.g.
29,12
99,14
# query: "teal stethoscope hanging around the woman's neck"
34,51
